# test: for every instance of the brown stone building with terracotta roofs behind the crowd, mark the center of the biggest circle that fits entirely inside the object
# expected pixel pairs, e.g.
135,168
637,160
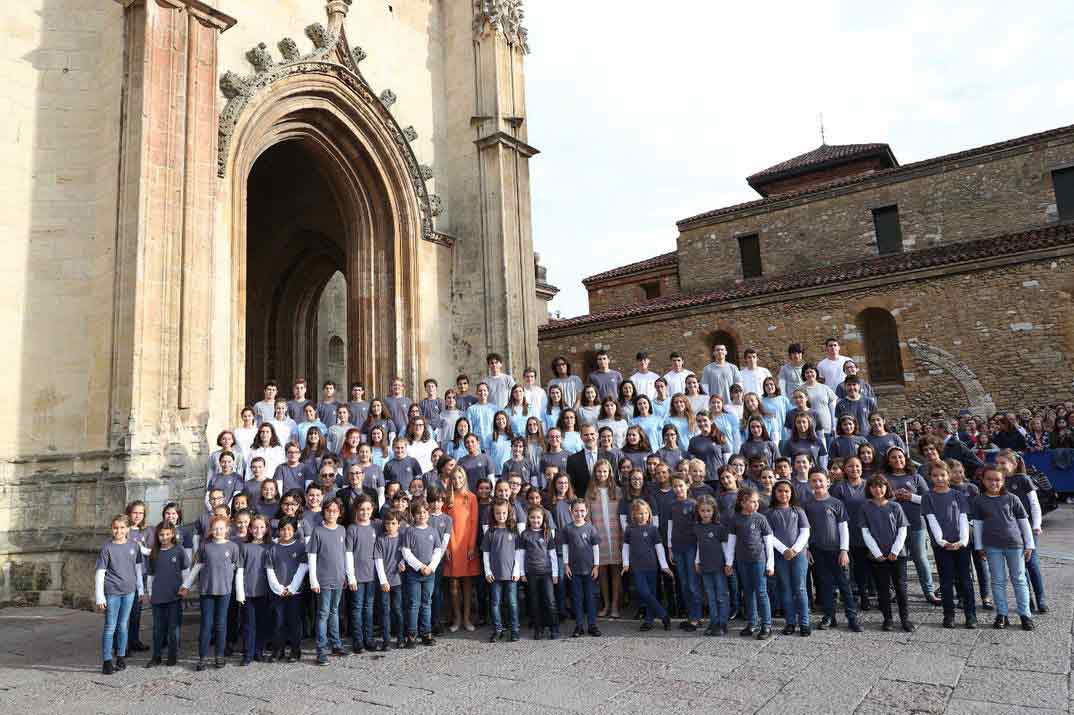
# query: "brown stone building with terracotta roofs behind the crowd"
949,281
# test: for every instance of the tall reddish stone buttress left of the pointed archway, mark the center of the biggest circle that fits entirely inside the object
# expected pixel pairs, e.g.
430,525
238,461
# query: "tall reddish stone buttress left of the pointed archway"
163,311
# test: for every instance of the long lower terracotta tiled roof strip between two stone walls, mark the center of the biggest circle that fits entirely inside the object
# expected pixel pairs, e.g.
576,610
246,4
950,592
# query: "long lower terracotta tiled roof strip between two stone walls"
940,256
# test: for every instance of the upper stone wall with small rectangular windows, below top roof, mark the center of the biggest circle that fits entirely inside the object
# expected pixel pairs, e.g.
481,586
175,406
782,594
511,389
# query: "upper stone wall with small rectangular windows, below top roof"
1007,192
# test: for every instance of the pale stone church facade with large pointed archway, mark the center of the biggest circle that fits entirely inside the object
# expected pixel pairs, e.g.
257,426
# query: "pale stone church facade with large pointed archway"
185,179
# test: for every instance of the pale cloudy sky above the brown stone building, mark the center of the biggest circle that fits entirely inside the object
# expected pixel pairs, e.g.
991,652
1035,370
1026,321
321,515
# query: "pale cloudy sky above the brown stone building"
647,113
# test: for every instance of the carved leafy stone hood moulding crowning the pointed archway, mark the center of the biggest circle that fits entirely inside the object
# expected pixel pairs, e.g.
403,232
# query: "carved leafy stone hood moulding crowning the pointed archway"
330,50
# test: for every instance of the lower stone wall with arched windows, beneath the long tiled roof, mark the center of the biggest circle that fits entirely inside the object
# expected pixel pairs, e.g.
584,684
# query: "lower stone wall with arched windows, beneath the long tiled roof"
1009,327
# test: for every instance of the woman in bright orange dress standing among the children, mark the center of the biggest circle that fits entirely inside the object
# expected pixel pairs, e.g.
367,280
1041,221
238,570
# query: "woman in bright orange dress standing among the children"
461,559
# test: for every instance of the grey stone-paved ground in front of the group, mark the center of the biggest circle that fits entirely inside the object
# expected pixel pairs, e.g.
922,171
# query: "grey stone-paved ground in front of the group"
50,664
